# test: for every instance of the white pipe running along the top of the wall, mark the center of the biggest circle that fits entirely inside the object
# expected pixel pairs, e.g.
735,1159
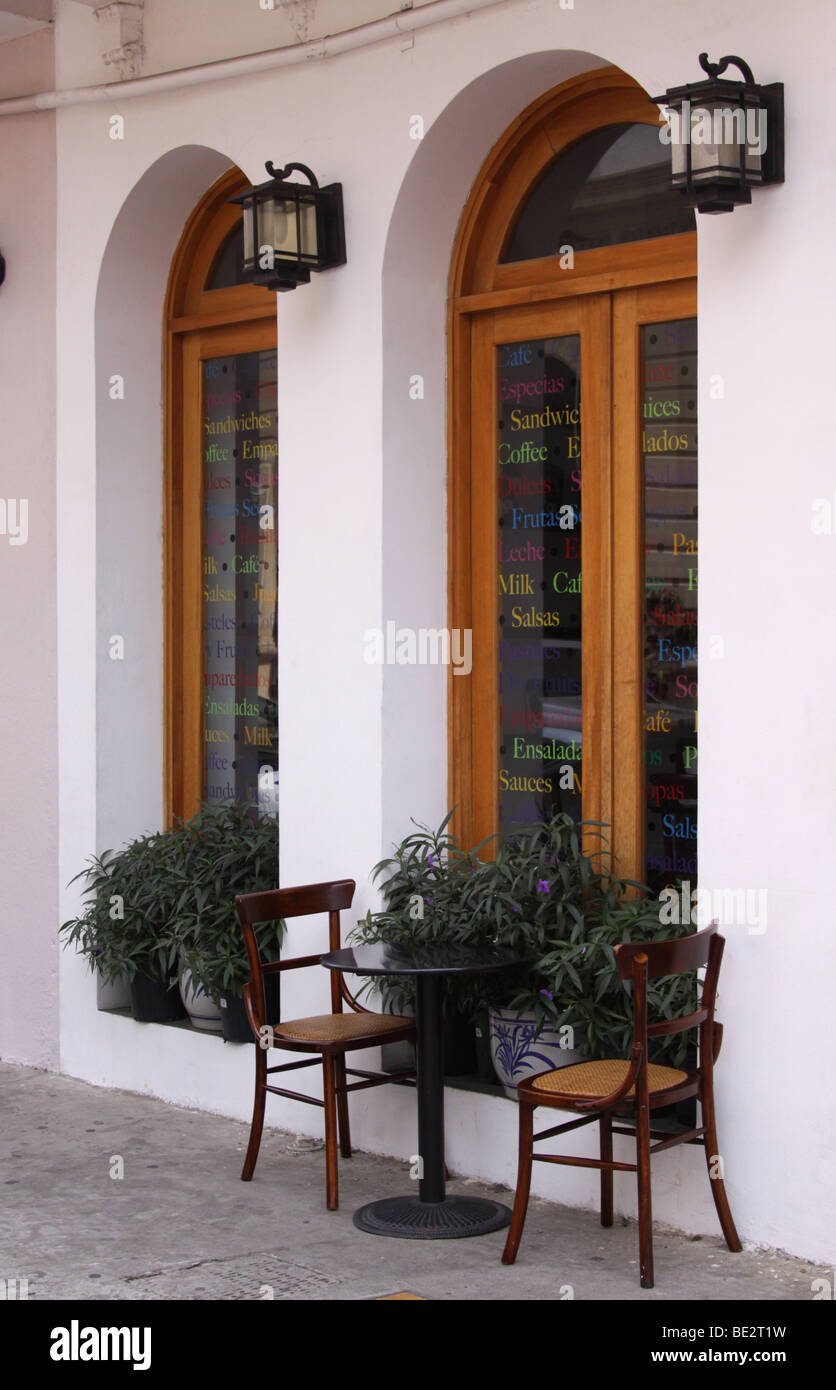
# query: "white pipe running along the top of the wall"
404,23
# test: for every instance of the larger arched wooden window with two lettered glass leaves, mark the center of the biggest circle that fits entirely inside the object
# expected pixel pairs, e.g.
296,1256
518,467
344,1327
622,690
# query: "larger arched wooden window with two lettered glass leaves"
574,415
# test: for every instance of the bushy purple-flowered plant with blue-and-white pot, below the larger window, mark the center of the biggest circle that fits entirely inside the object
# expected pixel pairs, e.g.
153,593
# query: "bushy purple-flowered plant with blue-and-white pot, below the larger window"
552,893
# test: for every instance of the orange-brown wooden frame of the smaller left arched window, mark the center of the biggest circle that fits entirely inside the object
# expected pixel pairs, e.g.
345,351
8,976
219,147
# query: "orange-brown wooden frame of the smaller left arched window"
198,325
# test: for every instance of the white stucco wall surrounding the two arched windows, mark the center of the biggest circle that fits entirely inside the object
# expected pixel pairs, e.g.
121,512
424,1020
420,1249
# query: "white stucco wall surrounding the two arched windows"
362,540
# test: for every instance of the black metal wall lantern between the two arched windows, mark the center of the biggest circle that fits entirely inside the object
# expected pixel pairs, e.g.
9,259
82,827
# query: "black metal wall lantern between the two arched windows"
291,229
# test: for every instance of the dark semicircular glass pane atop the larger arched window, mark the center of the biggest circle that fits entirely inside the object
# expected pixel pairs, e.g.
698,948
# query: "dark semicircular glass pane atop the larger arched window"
614,186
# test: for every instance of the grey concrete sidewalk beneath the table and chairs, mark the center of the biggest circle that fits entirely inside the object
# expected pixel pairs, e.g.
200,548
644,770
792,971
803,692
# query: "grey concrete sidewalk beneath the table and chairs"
183,1225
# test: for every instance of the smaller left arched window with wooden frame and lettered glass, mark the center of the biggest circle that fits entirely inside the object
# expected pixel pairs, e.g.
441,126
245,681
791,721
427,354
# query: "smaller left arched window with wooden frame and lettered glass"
220,530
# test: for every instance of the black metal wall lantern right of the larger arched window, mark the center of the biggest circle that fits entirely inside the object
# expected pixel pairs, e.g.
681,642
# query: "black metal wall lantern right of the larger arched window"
727,137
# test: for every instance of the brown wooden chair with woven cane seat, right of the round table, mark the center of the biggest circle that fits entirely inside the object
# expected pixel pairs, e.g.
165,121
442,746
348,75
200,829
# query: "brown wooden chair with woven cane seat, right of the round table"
635,1088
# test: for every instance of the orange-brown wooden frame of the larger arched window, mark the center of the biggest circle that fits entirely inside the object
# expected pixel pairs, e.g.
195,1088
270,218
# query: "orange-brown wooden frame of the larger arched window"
610,291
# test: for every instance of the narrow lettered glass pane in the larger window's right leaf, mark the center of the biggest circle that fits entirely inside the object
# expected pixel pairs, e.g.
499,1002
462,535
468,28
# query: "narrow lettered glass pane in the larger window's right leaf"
670,458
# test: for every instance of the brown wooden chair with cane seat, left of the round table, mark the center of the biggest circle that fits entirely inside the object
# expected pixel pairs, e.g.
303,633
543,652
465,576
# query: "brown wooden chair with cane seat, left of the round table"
328,1035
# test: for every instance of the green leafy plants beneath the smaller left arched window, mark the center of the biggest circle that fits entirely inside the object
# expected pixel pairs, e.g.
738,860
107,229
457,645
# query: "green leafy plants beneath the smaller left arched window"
166,900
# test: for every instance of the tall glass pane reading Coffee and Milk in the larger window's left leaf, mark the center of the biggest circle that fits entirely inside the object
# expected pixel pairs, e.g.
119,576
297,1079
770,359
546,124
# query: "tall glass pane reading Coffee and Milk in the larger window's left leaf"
539,601
